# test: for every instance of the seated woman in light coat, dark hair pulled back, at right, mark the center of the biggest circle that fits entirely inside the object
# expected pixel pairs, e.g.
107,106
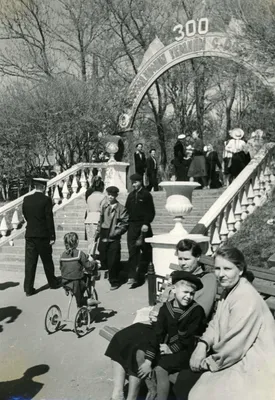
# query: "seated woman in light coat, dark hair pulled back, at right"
235,357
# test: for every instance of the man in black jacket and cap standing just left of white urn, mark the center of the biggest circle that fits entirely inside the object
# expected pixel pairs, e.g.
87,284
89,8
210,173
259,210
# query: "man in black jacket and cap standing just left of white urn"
141,210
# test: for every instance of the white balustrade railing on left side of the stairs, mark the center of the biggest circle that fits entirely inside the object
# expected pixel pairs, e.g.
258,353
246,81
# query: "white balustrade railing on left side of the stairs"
63,188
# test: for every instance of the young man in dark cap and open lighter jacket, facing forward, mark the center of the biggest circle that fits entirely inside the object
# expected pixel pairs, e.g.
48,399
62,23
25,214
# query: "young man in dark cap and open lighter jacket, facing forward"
113,223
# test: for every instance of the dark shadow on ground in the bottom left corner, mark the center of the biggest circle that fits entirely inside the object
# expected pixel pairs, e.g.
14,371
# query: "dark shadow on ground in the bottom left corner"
25,387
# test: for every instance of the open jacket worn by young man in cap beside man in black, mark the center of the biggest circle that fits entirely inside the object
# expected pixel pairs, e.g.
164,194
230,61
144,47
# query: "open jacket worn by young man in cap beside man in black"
119,224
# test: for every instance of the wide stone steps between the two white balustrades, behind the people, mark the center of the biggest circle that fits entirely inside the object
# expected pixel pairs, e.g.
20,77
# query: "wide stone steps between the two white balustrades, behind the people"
71,218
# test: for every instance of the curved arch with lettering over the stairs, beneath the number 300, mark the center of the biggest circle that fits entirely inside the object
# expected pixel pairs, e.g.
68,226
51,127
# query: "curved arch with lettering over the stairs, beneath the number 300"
212,44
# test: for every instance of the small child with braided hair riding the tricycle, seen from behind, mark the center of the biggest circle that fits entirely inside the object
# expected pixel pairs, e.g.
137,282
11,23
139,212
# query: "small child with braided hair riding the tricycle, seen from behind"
74,264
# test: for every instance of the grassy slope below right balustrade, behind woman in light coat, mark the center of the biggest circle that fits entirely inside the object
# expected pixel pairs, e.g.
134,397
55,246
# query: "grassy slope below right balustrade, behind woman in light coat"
256,239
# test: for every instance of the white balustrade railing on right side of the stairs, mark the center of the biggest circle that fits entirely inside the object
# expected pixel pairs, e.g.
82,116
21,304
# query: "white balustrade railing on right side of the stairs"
249,190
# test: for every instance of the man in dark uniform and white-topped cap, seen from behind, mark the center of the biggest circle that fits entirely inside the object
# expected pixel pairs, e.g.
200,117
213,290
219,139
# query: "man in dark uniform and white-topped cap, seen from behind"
39,236
